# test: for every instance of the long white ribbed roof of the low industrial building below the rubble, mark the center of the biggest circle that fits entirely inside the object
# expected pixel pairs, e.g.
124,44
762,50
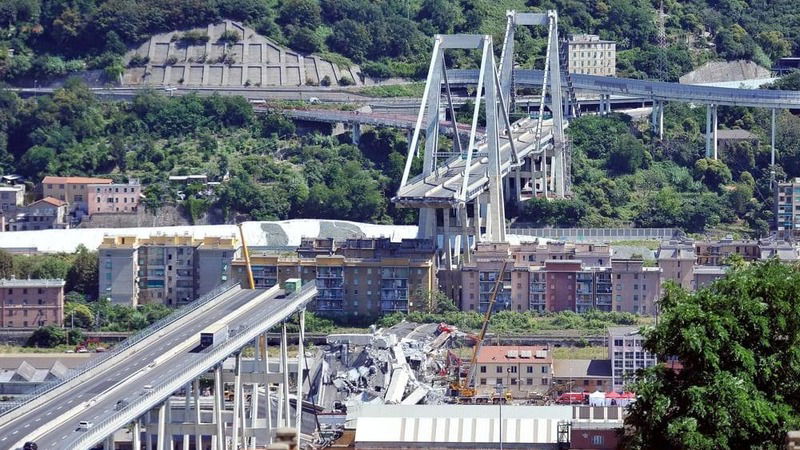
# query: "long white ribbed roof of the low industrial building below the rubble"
462,424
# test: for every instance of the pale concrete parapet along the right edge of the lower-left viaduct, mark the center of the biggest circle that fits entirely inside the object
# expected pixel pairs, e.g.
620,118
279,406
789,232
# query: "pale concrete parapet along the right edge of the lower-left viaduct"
139,406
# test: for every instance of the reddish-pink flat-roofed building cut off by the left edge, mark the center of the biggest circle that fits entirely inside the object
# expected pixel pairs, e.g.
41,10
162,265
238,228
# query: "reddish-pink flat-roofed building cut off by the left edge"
31,303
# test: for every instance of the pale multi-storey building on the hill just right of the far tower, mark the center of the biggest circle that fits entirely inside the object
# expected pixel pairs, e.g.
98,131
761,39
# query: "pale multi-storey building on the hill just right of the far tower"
588,54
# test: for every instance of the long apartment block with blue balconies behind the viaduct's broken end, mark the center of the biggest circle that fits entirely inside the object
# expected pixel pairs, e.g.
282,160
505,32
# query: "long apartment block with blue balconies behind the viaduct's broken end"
357,277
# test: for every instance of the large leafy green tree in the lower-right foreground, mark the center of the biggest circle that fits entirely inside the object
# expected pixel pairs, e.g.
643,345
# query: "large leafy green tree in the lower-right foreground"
737,343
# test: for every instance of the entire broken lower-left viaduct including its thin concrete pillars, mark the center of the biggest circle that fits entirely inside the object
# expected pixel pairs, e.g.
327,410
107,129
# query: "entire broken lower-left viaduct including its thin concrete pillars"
138,379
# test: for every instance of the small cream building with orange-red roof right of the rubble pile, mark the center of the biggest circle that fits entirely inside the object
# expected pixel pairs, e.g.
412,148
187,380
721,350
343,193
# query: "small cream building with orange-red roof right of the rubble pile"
524,370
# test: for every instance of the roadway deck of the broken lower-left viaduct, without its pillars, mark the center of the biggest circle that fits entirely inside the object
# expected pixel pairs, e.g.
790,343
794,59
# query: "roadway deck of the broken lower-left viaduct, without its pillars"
168,362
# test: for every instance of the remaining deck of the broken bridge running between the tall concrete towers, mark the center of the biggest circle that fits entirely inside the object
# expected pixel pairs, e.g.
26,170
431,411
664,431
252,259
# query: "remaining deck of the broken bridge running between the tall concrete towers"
441,189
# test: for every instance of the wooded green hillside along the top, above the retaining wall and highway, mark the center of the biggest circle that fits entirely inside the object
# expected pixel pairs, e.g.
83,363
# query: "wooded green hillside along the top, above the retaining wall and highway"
40,39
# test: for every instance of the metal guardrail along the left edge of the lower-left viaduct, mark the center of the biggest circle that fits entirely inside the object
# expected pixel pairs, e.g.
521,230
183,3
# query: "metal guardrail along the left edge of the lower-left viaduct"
121,347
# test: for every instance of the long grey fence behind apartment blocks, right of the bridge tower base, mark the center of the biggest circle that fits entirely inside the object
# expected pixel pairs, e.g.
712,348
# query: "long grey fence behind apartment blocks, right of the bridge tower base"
598,234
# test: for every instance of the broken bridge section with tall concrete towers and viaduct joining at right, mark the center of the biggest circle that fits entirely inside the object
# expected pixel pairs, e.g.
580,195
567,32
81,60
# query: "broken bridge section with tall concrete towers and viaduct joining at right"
461,191
